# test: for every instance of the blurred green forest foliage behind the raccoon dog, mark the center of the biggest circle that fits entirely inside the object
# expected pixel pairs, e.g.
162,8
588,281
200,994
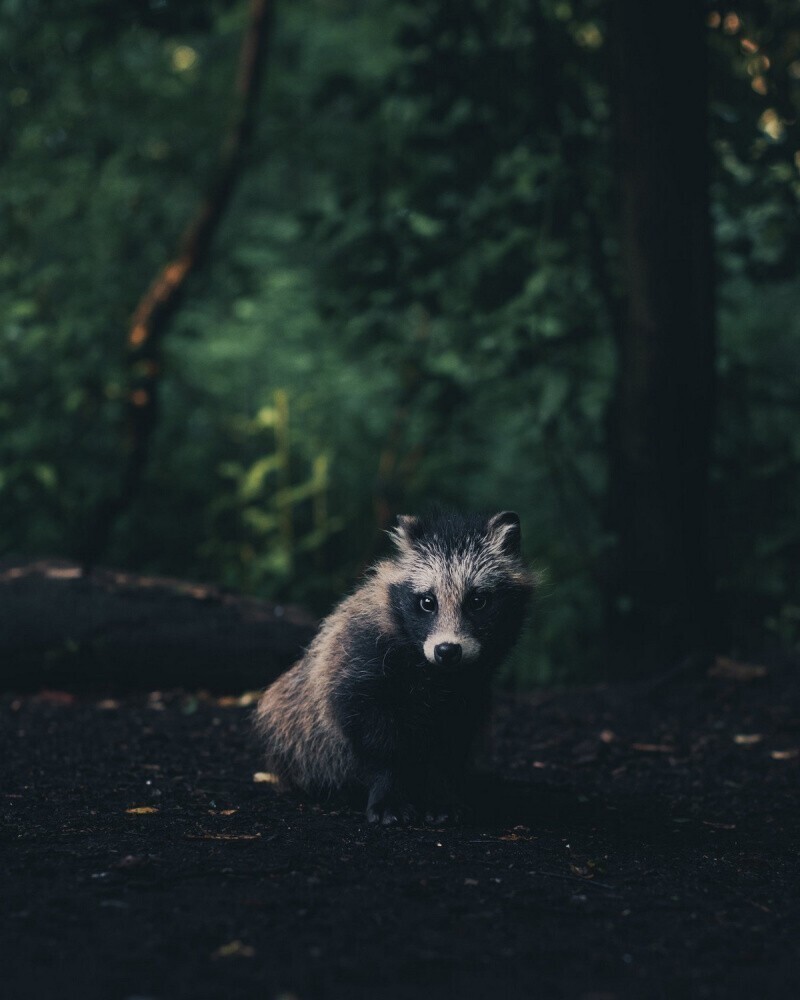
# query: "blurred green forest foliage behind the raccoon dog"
418,290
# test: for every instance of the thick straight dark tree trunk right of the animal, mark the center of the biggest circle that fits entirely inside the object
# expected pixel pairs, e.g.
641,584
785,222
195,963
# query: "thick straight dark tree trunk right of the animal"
661,418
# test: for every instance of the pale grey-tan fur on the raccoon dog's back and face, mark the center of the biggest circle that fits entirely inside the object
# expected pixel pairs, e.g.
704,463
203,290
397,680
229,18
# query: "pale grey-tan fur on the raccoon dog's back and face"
304,742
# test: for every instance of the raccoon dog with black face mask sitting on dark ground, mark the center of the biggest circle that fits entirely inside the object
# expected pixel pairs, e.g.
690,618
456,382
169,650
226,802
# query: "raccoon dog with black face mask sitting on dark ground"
393,689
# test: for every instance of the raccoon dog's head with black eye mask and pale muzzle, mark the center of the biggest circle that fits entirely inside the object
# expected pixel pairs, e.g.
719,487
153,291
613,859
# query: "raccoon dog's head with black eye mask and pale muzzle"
463,589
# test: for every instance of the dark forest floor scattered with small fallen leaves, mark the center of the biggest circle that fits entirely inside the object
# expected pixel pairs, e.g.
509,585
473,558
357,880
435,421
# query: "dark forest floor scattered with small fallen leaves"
636,842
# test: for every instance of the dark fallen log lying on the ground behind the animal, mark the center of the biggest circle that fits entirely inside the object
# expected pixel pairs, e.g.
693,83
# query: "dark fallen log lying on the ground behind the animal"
116,631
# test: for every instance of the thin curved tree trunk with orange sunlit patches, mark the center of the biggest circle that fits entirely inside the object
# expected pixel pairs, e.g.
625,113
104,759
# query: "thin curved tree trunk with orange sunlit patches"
157,306
